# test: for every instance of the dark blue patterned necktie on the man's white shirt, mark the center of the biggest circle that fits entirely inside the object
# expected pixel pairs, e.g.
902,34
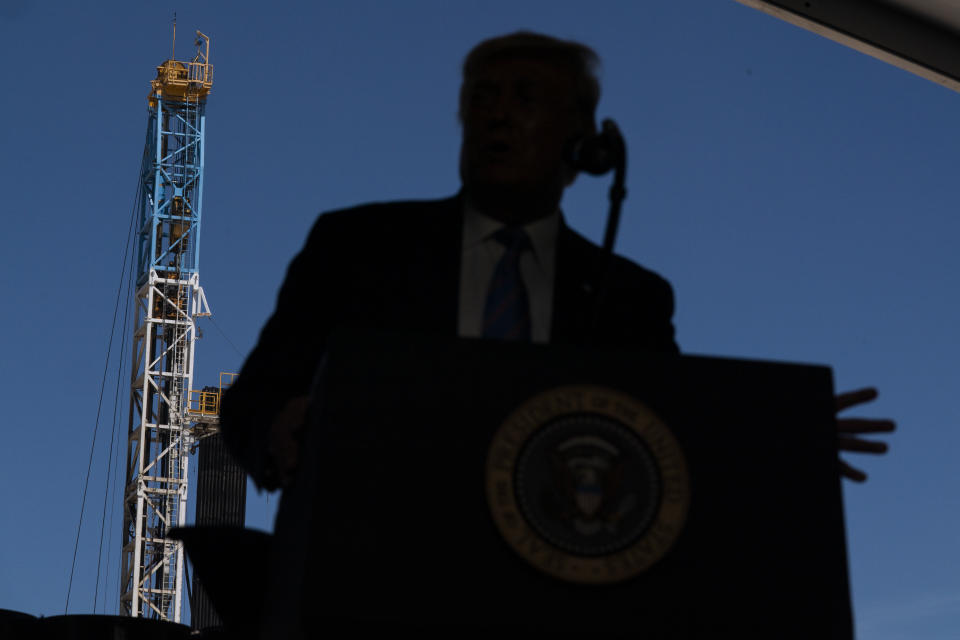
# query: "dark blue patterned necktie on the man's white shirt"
506,314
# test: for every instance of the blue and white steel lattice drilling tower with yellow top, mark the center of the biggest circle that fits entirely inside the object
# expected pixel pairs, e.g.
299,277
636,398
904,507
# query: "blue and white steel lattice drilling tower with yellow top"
168,298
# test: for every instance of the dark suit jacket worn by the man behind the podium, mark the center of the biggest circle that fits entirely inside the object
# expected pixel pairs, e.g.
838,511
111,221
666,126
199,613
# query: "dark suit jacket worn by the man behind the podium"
396,266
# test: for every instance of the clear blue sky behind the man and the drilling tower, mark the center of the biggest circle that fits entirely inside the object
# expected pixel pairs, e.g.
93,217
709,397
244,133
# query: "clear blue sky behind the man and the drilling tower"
800,196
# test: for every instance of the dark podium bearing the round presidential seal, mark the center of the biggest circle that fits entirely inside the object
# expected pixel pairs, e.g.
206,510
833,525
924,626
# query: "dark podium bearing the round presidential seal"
396,520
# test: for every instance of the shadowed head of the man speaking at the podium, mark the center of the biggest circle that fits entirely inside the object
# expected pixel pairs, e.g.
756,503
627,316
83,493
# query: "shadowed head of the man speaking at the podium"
525,97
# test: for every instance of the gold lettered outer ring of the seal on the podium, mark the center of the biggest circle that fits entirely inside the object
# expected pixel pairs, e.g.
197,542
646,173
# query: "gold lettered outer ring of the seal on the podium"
523,422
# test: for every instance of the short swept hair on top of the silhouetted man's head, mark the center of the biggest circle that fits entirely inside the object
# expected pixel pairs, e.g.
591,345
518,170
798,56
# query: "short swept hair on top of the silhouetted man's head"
579,61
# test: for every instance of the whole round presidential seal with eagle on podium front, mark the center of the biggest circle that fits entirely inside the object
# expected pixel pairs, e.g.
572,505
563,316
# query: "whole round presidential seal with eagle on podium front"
587,484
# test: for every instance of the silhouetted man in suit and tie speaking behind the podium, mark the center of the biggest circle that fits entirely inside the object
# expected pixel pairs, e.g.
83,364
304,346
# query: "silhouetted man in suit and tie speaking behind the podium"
495,261
